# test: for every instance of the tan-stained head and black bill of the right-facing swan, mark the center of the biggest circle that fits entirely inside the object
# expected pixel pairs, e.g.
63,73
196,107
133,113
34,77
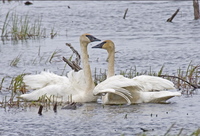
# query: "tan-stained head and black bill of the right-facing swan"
87,38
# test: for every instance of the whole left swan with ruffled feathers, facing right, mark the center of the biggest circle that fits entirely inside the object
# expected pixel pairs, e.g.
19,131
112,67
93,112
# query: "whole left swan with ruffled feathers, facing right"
58,88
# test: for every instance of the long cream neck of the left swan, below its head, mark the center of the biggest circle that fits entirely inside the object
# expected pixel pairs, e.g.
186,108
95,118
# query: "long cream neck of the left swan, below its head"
86,66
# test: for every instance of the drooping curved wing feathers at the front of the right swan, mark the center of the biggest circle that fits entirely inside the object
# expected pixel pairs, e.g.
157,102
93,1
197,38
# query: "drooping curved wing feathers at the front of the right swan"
120,92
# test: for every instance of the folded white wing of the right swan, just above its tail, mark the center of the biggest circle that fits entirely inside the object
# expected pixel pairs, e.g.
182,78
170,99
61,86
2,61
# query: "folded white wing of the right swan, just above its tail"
153,83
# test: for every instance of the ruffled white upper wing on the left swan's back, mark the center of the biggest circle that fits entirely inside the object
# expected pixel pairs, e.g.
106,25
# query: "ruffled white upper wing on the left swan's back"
43,79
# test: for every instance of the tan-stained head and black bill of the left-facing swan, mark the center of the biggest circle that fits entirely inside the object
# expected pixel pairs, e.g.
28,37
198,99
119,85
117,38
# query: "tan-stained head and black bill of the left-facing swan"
107,45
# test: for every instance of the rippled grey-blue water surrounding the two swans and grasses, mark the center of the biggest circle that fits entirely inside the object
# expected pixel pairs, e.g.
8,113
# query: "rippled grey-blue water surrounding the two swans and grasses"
144,39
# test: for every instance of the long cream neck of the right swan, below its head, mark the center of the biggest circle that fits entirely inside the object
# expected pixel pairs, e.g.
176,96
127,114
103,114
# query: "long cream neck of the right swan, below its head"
111,63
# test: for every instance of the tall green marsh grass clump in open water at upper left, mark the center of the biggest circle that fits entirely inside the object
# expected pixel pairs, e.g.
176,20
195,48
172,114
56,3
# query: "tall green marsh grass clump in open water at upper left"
20,27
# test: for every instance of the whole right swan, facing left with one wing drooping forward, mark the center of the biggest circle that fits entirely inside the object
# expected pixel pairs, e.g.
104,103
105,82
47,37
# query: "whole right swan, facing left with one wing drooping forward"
141,89
